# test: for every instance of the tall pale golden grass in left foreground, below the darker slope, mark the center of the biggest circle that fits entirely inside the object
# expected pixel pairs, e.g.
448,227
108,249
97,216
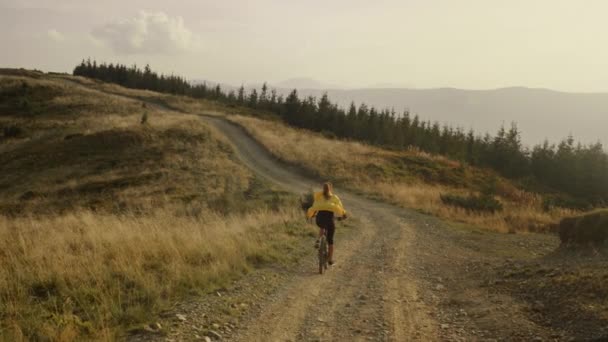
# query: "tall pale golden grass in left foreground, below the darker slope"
85,275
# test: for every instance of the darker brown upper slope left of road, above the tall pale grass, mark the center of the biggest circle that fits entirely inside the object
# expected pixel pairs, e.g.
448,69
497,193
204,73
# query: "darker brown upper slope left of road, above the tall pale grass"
78,148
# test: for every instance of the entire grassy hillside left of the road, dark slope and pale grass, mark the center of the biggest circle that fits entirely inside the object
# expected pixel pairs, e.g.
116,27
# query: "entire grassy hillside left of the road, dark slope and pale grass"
105,220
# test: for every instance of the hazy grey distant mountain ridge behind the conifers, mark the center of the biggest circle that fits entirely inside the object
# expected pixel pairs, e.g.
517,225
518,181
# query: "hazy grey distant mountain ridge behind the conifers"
539,113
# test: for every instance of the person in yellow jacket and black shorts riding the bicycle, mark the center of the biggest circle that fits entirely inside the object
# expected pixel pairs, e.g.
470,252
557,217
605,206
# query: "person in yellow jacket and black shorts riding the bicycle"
325,206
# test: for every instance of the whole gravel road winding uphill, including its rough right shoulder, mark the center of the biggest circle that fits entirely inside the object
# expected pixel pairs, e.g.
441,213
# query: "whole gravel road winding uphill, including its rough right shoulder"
401,275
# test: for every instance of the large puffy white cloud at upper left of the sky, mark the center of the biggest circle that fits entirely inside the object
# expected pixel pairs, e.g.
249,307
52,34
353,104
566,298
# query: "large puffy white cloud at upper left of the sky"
152,33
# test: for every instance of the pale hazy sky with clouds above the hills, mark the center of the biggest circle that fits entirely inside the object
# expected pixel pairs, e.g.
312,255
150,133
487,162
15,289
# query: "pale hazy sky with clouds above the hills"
475,44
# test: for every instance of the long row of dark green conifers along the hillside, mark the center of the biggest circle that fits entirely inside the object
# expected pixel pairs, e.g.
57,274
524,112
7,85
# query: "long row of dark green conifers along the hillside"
578,170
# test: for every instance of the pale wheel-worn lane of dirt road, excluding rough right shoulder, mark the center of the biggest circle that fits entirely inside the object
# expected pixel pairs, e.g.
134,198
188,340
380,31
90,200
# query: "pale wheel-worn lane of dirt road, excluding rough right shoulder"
370,293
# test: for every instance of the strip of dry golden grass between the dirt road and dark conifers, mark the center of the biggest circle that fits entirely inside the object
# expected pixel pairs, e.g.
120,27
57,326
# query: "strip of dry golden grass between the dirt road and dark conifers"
374,171
